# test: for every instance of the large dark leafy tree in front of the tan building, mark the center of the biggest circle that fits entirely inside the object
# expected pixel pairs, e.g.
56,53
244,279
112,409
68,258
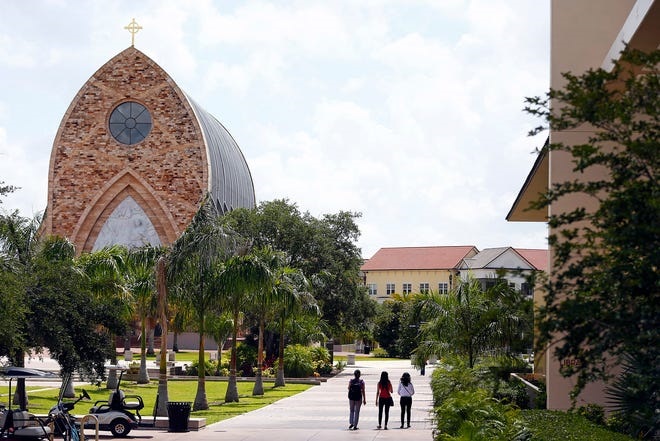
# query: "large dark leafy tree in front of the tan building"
602,303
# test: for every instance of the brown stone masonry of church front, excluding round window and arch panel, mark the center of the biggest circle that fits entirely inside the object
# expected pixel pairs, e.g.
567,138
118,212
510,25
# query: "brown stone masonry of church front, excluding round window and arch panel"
169,167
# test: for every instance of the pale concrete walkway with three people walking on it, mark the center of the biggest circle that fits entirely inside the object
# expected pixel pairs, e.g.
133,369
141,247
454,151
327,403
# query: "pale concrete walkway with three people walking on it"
318,414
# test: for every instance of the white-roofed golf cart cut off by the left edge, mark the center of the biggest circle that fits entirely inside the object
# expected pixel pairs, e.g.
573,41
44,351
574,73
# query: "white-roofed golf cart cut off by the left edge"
19,423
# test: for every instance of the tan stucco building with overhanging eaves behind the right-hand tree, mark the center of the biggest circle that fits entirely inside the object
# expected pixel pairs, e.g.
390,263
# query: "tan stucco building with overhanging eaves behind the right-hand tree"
584,34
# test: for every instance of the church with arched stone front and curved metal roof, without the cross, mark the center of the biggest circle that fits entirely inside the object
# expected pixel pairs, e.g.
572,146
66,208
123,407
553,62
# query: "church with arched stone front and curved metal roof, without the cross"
134,157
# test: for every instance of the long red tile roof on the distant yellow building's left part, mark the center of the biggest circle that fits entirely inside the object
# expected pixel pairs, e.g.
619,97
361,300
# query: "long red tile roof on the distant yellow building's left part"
418,258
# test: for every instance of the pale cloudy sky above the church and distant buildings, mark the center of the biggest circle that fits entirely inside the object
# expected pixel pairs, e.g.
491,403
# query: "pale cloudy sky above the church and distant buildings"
407,111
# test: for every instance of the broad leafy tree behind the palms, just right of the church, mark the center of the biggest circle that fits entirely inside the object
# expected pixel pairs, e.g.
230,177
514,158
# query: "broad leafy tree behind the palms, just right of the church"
324,249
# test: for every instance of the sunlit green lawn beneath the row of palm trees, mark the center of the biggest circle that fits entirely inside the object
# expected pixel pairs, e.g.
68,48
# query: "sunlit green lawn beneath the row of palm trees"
42,399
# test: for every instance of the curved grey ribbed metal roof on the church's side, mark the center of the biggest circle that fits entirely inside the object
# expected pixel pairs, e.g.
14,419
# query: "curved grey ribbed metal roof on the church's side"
230,180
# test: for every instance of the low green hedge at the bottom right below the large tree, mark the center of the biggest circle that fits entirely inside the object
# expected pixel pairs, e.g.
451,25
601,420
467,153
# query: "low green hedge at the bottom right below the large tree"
547,425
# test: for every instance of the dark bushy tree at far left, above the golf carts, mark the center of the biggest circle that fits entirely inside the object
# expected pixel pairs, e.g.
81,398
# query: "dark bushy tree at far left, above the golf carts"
51,301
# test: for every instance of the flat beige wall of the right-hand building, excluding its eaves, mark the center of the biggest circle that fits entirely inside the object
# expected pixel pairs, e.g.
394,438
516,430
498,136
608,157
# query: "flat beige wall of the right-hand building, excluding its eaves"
582,32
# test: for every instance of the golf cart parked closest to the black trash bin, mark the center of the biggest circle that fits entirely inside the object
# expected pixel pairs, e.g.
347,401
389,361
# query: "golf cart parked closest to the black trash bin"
116,414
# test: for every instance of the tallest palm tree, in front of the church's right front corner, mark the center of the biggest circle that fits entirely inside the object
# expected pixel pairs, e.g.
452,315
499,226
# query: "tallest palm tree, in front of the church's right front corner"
195,263
